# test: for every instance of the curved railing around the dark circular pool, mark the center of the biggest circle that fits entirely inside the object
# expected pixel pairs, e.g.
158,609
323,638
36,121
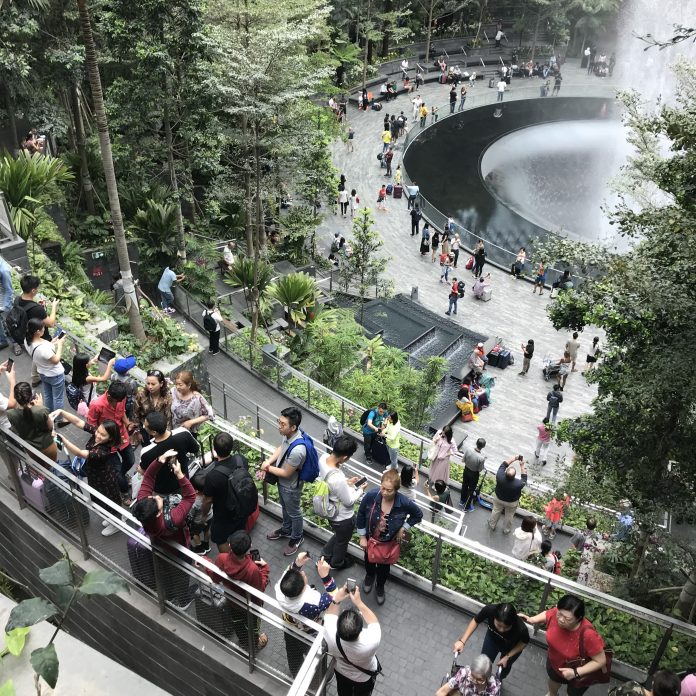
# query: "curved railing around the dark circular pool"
496,254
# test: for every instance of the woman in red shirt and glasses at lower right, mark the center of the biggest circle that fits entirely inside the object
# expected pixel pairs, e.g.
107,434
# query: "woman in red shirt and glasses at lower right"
572,640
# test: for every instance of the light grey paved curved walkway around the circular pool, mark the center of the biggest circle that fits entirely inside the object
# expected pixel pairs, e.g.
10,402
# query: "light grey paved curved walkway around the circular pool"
519,403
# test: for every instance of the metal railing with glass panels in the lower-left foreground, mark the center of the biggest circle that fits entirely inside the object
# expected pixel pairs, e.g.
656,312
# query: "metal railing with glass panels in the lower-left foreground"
166,574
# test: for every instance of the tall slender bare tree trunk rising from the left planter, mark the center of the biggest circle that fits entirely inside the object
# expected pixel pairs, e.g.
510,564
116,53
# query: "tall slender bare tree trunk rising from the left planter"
136,324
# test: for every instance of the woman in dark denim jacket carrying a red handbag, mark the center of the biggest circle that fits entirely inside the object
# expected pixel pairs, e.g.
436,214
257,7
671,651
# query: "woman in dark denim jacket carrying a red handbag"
384,518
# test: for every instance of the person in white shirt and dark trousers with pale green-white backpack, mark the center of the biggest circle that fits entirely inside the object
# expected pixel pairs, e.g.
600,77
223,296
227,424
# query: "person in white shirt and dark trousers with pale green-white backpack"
342,498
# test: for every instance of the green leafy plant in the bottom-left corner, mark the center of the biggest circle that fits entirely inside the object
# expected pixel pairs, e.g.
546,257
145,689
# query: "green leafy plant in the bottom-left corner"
68,590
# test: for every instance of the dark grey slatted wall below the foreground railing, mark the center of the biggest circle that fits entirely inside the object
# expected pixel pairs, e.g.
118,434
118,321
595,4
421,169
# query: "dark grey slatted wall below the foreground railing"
126,628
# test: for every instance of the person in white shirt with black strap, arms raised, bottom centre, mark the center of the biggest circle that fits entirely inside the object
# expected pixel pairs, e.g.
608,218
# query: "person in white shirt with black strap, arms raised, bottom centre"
353,638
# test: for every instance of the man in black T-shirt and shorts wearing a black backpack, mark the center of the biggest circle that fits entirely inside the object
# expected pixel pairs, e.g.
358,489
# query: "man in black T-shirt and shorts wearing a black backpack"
230,489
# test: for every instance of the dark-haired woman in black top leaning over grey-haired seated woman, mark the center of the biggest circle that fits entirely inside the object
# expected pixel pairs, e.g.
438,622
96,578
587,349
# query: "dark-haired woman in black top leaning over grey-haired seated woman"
506,635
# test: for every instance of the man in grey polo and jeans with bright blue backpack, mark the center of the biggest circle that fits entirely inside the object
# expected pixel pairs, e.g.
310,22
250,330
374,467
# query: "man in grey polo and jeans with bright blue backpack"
285,463
